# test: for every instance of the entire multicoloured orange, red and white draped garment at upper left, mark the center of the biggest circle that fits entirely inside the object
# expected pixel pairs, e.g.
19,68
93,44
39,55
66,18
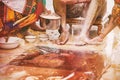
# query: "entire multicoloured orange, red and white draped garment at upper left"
20,12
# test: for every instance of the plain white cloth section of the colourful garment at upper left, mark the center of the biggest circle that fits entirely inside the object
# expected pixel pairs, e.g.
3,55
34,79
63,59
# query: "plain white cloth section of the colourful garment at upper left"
16,5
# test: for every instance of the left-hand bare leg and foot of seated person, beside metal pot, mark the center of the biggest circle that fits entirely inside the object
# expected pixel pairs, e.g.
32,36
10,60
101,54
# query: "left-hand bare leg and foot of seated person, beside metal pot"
60,9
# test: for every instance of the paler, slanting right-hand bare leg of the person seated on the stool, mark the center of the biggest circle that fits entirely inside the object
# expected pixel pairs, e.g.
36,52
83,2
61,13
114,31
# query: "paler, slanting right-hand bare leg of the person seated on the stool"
91,13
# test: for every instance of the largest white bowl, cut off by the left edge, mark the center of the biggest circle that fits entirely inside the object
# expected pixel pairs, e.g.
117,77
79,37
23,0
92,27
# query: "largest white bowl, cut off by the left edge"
13,42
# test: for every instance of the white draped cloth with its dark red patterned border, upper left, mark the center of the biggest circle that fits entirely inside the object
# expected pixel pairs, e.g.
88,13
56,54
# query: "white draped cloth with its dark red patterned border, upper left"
23,6
